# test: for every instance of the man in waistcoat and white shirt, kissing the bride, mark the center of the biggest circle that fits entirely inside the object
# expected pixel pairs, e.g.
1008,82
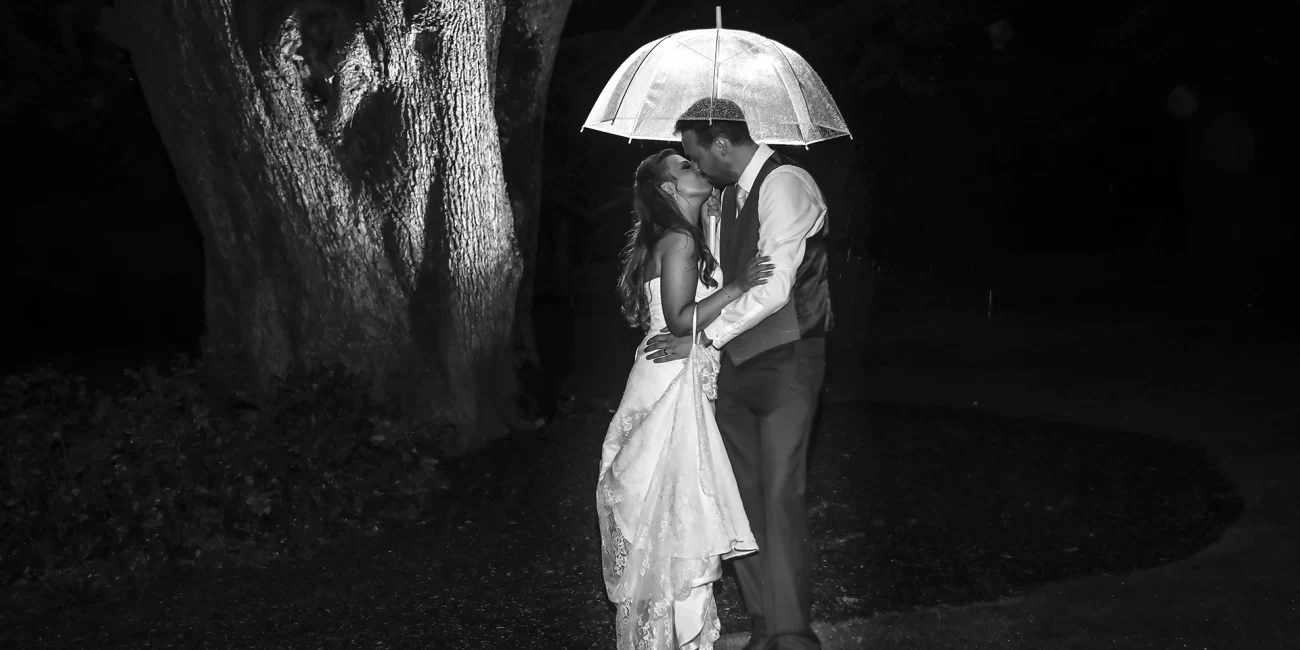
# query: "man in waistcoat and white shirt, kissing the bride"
773,344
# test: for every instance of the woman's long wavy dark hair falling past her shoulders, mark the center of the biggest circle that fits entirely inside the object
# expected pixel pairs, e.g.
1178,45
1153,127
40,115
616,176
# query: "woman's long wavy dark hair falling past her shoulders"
653,215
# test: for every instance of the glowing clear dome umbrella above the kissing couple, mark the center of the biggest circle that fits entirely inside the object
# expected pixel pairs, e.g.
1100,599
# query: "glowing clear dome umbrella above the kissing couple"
783,99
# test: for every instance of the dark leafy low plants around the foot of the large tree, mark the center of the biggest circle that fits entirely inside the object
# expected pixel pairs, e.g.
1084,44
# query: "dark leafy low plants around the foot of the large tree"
164,474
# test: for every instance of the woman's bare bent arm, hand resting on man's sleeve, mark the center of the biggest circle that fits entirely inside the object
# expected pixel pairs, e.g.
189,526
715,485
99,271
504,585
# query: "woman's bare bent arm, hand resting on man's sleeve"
679,276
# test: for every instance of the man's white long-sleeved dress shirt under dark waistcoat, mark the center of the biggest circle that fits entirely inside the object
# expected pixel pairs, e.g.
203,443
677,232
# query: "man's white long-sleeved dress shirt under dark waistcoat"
791,209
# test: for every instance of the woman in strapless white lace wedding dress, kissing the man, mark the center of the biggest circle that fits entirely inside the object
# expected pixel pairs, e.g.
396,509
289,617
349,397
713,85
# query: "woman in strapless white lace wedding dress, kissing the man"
668,499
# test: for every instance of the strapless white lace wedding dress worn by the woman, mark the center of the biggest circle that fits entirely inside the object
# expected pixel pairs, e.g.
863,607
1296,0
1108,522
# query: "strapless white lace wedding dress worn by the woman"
668,500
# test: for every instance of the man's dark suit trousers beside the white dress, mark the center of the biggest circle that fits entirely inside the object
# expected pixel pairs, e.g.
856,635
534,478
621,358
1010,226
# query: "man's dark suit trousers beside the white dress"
765,413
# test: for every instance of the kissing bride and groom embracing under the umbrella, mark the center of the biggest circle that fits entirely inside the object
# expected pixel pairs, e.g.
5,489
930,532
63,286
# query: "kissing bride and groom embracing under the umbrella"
707,457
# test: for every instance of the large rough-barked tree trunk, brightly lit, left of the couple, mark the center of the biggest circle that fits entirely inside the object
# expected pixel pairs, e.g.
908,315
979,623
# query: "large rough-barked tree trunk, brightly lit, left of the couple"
344,164
